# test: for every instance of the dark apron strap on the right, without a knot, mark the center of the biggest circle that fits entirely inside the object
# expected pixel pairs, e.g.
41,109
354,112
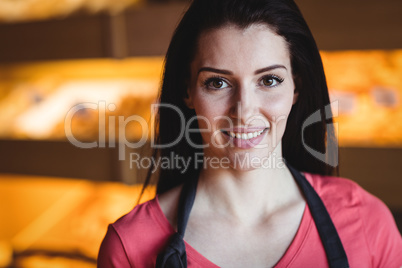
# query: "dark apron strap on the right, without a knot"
329,236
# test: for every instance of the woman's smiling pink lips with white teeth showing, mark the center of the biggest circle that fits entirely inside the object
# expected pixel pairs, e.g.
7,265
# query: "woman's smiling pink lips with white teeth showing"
245,138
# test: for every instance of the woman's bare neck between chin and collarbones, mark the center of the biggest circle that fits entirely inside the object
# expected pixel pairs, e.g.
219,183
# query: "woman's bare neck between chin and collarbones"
247,196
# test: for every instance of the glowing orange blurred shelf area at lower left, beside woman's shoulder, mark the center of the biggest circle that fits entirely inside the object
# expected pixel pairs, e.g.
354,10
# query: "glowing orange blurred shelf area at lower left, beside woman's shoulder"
62,215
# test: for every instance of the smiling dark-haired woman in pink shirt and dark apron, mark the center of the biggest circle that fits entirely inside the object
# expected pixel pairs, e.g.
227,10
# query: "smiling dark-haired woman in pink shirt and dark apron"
251,73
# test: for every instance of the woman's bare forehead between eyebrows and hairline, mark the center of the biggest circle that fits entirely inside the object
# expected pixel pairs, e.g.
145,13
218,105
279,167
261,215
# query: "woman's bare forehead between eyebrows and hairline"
256,46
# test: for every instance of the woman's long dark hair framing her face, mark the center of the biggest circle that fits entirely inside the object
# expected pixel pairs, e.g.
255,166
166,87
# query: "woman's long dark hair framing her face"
285,18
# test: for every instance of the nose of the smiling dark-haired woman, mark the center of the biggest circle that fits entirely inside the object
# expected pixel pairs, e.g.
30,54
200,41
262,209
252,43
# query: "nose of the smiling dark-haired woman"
245,105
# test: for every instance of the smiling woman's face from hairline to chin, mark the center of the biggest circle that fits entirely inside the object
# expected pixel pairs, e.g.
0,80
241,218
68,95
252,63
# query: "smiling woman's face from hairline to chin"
242,90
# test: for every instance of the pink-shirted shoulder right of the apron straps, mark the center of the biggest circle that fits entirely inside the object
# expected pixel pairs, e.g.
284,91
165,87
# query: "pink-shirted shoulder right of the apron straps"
364,222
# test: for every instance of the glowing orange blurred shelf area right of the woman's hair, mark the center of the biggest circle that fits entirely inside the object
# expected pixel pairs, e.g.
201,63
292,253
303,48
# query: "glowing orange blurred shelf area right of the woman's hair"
368,85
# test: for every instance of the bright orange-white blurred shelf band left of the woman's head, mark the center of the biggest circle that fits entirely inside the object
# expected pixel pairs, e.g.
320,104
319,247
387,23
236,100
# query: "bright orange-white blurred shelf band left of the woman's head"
35,97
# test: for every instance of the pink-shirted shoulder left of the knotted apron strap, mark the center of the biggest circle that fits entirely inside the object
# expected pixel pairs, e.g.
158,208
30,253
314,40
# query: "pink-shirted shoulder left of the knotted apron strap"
136,237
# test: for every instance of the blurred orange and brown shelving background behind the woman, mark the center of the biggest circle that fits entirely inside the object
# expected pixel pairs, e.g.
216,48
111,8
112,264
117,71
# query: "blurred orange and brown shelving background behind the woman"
72,72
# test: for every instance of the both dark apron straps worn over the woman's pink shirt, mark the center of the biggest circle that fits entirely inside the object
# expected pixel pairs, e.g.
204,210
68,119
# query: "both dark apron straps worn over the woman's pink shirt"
174,255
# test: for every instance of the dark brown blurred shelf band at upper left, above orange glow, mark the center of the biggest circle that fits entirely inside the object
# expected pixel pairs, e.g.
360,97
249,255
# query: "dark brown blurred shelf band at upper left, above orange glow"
141,31
